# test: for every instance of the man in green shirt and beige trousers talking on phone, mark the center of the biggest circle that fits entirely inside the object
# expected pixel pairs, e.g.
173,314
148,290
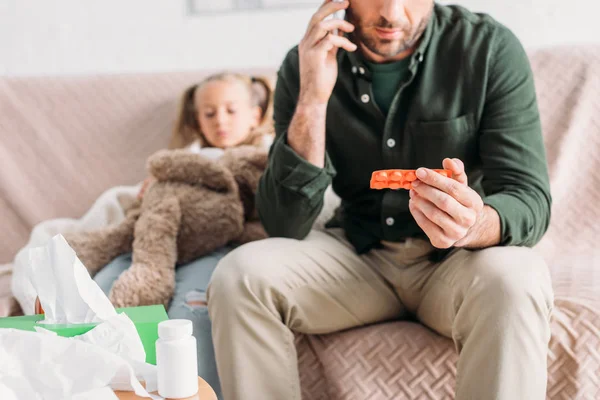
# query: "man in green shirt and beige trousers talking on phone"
405,84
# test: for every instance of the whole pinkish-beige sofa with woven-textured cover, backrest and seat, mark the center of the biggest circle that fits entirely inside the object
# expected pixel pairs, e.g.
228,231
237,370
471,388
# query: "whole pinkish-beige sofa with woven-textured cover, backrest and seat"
66,140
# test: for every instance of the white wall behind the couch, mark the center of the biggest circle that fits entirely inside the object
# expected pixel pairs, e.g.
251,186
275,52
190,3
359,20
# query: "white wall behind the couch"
80,37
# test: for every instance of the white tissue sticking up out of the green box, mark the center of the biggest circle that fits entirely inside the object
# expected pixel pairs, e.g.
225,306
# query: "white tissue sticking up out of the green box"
66,291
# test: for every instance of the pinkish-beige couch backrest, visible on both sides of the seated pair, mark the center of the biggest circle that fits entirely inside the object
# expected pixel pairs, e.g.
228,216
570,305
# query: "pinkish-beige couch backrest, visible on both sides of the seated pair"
66,140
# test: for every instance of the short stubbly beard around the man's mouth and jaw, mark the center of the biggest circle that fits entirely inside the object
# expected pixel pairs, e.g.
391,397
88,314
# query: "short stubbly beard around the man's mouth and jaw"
386,47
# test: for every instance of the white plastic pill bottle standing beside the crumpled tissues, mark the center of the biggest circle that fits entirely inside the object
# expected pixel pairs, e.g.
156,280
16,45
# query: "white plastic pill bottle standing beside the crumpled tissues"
176,359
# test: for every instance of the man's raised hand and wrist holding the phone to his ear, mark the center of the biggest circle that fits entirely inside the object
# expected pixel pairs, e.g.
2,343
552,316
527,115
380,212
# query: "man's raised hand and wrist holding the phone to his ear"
317,51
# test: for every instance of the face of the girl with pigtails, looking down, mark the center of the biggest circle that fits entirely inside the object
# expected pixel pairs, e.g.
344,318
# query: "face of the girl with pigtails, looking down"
225,112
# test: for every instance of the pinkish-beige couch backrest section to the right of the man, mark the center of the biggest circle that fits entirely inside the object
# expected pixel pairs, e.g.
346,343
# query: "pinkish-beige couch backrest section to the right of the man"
568,86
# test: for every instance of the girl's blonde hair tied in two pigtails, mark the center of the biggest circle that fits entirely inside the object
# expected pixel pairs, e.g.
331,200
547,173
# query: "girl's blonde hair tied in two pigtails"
187,128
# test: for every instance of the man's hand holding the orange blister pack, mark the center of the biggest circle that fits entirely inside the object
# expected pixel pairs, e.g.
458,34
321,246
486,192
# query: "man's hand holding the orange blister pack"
447,209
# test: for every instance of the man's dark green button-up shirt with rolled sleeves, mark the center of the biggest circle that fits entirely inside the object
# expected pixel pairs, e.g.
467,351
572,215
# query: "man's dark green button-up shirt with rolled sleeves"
469,94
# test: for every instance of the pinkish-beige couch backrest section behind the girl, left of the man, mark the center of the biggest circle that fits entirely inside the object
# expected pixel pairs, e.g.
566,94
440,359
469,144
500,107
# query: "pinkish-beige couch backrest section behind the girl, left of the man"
66,140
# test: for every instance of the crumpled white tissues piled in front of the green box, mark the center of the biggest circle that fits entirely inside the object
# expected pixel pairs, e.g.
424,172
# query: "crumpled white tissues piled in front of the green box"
48,367
